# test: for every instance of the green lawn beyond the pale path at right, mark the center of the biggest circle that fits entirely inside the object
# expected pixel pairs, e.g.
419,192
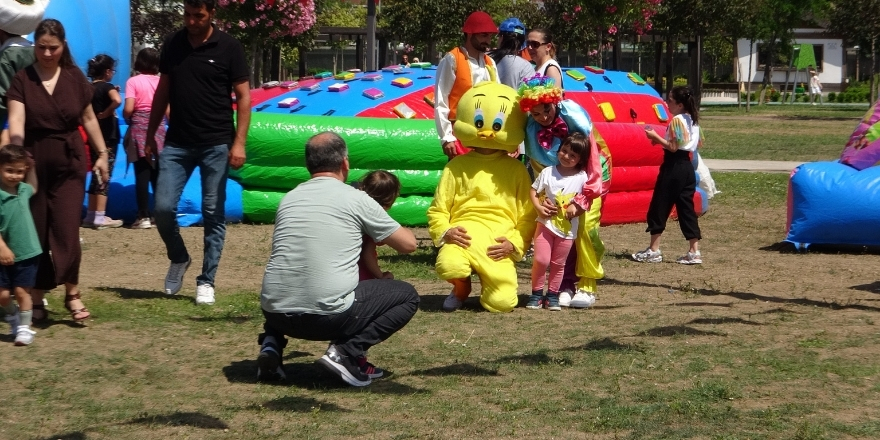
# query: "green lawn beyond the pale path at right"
778,132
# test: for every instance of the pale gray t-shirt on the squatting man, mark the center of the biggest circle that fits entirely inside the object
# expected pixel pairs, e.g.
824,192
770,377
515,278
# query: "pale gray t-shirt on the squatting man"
316,245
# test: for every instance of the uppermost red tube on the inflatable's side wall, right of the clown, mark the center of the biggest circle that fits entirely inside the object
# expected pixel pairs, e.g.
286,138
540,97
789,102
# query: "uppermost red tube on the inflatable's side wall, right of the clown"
628,144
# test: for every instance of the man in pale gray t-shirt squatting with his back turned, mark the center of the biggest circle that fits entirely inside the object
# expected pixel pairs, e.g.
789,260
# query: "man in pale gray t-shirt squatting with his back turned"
311,289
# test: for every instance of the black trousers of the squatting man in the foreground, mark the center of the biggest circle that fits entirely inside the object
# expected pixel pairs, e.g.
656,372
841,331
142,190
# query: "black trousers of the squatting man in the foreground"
380,309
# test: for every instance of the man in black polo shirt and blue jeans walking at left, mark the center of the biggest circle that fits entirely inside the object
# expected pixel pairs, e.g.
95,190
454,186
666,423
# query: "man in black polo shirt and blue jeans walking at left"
201,67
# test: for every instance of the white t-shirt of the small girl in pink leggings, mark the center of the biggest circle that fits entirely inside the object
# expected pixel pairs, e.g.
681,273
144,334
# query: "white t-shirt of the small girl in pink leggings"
562,189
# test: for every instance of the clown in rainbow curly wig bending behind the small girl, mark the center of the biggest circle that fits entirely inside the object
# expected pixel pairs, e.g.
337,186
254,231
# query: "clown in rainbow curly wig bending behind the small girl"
551,120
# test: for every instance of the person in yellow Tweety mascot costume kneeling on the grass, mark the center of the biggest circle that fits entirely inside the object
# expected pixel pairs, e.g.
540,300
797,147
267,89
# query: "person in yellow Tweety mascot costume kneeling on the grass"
481,217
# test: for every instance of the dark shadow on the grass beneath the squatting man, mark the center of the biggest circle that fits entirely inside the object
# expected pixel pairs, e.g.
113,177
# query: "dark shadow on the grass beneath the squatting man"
309,375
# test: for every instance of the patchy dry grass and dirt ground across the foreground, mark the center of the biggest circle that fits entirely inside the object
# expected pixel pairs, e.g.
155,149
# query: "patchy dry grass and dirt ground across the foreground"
753,344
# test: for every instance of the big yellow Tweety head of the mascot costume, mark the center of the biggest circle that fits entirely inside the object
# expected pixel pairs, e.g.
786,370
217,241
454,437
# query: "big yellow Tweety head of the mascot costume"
488,116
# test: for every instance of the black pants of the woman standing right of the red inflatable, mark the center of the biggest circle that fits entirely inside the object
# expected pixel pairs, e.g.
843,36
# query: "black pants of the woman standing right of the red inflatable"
675,186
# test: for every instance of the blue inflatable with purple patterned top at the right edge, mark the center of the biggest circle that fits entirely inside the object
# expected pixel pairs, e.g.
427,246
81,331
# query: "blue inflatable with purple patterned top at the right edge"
838,203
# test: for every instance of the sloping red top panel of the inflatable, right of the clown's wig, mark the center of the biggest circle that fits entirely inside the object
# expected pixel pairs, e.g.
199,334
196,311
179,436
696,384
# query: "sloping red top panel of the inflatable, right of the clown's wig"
624,105
